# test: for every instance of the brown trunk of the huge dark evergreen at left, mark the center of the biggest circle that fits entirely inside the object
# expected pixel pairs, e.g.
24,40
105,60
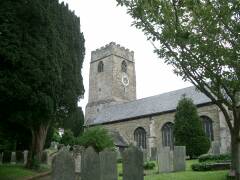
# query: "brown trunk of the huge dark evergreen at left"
38,140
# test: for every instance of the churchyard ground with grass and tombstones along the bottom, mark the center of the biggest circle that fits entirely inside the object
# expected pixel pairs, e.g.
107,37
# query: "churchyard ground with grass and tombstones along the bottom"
105,165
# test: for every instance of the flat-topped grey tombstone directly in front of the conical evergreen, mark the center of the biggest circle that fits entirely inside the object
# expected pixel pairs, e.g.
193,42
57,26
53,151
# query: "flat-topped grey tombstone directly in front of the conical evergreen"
179,156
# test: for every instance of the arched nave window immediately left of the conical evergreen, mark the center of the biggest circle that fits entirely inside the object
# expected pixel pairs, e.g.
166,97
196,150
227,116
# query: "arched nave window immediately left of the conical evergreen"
167,135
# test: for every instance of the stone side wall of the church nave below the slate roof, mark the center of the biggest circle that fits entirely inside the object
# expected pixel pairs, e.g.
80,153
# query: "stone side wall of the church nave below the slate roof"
154,124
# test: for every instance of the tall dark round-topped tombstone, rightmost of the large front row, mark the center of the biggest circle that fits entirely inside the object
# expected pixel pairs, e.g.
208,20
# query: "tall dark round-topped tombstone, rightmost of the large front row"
133,164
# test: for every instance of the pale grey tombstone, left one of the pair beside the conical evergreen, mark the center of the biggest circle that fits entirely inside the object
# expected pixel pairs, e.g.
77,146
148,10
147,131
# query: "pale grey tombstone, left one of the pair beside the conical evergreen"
165,160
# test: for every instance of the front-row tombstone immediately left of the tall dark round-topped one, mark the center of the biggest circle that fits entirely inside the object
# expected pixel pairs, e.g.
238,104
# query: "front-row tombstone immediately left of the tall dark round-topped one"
108,165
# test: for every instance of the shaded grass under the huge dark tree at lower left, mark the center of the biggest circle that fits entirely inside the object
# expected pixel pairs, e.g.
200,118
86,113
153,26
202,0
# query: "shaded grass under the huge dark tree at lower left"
17,172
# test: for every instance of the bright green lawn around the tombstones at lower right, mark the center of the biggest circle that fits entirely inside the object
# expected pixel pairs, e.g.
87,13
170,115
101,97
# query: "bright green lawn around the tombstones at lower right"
185,175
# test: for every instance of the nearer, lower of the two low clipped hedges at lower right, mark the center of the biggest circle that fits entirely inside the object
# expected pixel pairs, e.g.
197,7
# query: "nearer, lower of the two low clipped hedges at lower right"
210,166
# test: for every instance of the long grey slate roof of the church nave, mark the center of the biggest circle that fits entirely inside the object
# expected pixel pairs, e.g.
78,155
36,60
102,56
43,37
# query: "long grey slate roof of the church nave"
148,106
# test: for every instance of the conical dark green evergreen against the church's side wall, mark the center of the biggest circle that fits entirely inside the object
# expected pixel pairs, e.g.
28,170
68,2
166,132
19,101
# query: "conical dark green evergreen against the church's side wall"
188,129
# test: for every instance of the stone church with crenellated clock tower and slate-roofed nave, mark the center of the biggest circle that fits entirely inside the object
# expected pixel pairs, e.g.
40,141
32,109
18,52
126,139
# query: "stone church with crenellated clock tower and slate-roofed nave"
146,122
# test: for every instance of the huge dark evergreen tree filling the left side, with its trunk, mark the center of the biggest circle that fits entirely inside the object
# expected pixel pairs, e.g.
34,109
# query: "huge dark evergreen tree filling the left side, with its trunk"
41,55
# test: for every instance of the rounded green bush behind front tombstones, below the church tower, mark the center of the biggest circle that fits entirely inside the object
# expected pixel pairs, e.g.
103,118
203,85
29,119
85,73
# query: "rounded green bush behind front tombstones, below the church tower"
96,137
